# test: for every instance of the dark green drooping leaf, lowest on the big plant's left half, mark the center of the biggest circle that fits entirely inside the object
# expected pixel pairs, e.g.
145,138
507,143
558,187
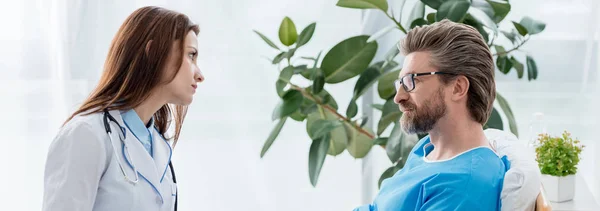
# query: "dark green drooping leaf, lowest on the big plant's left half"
316,157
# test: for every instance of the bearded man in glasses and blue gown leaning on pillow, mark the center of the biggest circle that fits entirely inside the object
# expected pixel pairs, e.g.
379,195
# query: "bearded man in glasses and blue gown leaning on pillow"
446,88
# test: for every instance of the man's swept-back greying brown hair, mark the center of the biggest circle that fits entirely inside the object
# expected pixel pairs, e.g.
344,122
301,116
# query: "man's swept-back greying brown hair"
460,49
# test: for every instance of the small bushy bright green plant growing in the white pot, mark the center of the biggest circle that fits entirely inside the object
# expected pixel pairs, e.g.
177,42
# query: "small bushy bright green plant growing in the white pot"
558,156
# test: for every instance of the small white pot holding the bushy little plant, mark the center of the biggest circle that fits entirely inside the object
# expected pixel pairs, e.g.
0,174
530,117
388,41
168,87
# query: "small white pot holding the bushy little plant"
559,189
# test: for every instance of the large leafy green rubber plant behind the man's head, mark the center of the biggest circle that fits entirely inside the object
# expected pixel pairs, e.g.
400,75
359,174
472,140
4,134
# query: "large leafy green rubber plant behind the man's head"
332,132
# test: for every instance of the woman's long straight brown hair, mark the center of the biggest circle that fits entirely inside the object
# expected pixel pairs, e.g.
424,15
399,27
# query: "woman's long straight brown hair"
135,63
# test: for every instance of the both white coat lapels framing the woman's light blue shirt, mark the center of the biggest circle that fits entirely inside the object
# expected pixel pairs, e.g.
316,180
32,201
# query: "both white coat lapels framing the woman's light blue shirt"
150,170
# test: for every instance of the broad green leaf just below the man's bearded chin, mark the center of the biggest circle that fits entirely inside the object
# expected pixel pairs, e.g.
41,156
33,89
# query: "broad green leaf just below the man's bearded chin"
399,144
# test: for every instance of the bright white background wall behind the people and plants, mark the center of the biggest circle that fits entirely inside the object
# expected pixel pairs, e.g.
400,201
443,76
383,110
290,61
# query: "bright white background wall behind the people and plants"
51,56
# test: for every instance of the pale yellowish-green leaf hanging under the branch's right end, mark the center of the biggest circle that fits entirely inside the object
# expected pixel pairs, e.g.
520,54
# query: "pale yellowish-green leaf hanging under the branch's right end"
359,144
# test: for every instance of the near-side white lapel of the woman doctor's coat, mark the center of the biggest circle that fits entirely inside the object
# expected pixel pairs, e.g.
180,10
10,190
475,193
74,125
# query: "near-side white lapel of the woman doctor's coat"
138,158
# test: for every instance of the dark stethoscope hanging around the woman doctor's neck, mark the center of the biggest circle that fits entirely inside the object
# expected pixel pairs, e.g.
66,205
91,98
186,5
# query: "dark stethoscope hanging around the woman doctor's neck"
107,120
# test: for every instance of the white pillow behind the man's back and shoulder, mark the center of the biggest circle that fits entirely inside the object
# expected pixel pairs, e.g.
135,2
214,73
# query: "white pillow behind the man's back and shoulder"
523,180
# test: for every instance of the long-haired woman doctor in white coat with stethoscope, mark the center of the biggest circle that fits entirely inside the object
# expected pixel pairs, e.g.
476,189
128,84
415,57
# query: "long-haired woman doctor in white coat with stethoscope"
112,153
